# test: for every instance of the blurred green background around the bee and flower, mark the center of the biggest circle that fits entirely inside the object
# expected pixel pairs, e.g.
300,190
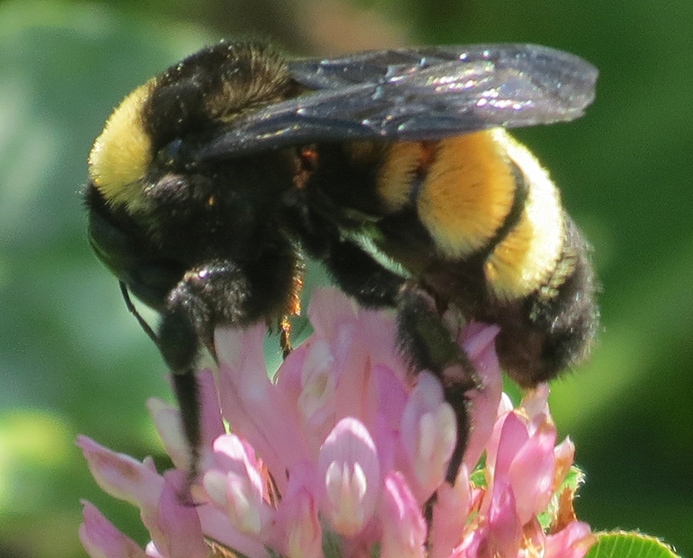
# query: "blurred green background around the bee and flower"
73,361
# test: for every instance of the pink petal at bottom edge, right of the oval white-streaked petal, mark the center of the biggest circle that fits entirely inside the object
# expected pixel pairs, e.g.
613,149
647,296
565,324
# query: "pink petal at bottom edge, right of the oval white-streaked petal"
404,528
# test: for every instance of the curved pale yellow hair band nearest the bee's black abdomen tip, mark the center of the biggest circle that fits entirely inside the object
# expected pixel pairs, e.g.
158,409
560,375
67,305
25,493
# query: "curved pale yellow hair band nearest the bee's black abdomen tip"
525,259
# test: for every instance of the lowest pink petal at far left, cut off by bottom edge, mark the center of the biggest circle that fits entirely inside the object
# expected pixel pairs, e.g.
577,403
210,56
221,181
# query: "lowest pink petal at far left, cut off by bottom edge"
101,539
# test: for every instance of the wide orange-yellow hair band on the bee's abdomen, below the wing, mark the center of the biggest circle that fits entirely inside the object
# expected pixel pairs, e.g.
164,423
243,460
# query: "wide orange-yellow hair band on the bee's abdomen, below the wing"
467,193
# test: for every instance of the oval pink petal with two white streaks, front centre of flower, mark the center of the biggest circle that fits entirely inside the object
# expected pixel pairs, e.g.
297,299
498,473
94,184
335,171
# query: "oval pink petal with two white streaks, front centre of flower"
348,465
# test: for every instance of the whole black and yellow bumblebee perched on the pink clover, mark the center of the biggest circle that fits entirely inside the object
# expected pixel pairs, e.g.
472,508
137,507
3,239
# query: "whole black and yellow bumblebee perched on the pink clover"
393,168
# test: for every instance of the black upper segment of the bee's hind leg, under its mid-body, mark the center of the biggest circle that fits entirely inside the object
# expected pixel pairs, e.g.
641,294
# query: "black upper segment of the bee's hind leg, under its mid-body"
359,275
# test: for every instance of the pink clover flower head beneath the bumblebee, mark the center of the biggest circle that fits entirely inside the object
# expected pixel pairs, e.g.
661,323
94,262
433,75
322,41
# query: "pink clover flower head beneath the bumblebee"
345,454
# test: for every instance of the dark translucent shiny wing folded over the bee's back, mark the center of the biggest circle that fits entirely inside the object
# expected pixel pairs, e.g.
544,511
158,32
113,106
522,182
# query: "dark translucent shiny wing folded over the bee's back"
417,94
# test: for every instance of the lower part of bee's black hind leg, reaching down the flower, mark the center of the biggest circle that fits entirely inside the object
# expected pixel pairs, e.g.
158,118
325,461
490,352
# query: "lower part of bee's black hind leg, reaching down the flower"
429,345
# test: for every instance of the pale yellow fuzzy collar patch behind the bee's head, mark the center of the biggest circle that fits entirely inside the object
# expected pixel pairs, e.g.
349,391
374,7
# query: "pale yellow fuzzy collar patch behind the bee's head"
122,153
